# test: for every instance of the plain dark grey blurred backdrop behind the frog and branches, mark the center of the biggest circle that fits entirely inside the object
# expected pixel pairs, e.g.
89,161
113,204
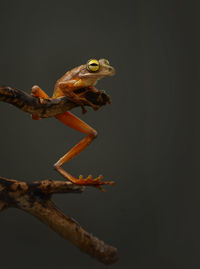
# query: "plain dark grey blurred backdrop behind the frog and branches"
147,138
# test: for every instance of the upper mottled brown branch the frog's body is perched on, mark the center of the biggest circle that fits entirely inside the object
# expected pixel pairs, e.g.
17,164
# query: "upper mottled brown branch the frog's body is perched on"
46,108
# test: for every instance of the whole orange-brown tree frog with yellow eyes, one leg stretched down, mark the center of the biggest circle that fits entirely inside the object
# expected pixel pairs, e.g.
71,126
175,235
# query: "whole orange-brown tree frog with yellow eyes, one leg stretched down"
70,85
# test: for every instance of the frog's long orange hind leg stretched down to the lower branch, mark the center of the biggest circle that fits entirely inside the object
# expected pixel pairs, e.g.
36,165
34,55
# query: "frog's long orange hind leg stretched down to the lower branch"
76,123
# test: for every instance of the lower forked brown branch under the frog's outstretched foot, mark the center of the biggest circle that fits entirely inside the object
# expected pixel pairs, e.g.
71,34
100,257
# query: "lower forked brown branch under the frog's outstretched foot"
35,198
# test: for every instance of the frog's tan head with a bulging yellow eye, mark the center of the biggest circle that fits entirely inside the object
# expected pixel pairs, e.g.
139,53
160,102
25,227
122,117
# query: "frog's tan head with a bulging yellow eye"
94,70
